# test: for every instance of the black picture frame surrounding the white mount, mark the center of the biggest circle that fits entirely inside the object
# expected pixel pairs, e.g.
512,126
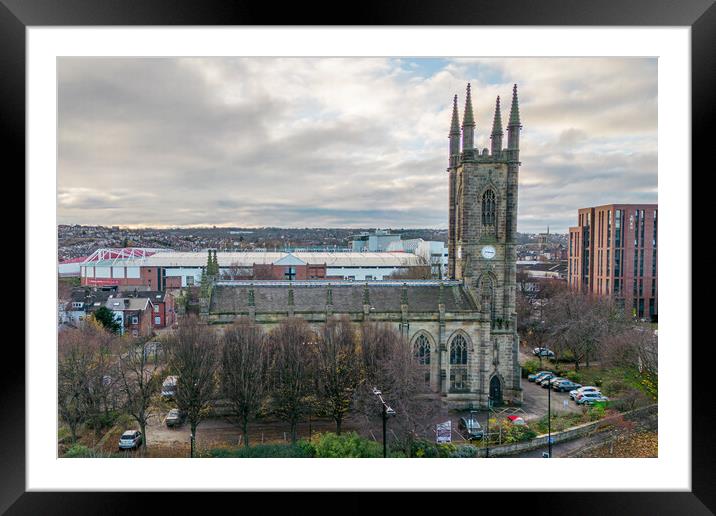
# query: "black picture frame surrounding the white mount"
17,15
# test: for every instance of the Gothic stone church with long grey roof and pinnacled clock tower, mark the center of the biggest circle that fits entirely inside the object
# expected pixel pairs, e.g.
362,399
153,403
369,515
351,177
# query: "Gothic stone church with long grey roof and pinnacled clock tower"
462,330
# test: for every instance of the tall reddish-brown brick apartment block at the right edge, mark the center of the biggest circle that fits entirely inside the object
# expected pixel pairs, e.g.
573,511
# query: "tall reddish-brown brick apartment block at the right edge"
613,251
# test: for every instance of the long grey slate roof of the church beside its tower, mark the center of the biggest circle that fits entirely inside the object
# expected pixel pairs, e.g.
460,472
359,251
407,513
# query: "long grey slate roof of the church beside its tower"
346,298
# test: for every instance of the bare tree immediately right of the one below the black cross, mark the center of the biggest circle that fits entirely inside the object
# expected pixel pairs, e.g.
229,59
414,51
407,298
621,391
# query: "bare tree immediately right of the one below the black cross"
337,367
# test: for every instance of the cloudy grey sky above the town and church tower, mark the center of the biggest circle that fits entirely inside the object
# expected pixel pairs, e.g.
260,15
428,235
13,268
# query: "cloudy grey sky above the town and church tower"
332,142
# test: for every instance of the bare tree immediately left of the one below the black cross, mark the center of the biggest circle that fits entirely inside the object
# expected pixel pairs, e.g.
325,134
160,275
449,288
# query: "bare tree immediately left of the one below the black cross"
243,371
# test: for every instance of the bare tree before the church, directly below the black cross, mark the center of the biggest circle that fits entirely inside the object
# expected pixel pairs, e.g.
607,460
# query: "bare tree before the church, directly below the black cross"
291,371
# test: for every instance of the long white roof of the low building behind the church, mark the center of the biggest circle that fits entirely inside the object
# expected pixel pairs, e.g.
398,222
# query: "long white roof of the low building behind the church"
227,259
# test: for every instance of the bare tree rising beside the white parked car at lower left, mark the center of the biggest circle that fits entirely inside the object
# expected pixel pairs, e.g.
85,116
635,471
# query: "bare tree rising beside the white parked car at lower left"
139,381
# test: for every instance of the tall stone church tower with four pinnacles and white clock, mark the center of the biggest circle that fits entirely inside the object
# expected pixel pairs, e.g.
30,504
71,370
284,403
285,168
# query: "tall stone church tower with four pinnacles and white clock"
481,239
